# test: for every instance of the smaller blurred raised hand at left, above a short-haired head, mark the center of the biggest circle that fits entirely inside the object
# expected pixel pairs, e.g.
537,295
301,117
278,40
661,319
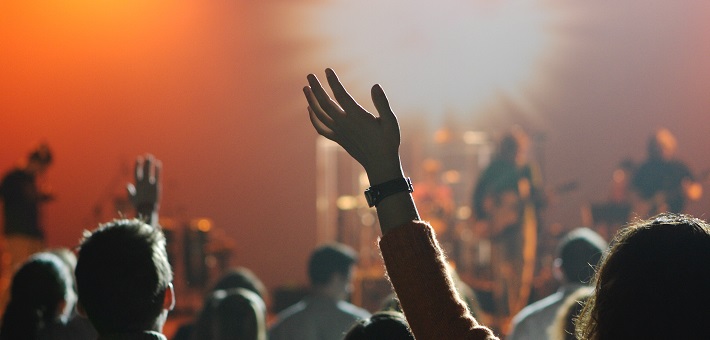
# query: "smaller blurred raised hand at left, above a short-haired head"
145,193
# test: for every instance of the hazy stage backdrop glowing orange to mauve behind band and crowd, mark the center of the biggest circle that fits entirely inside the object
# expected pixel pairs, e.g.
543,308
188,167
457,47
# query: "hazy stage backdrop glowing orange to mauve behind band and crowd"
213,89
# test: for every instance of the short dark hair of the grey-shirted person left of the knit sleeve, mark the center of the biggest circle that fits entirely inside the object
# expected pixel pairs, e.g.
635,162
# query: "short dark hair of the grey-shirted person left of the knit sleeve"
330,259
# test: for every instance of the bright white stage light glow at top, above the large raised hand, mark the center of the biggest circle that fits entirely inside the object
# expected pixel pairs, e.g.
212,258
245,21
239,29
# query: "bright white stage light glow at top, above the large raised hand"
433,56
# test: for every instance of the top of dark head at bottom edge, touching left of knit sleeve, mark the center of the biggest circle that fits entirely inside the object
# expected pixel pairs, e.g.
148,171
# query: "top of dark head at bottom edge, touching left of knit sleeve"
387,325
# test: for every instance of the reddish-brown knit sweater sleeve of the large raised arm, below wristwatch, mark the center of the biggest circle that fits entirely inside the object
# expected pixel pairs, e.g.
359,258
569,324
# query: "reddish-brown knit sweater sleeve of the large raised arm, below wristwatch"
416,268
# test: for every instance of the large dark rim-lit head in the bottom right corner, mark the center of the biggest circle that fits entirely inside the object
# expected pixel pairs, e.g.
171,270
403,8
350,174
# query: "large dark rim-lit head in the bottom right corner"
653,283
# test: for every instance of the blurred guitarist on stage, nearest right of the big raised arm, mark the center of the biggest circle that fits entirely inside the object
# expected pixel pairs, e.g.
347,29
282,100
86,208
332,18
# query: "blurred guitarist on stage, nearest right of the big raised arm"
506,200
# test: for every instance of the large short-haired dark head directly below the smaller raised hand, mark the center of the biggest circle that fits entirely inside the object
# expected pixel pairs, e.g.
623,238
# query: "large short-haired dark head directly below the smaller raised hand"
122,276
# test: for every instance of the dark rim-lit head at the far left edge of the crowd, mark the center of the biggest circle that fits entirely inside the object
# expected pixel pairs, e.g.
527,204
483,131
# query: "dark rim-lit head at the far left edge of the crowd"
40,294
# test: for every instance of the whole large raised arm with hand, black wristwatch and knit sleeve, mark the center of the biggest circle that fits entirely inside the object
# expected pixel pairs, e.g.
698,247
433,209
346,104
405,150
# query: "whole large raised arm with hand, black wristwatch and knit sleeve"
413,258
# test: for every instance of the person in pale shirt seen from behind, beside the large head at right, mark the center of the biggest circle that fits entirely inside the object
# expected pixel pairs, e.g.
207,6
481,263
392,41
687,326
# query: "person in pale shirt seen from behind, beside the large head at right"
577,255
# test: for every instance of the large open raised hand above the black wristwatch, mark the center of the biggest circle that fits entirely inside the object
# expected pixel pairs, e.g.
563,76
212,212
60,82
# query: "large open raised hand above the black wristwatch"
372,141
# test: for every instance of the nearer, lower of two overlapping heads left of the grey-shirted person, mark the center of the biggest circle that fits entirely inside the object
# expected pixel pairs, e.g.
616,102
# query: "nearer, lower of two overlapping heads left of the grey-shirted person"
233,314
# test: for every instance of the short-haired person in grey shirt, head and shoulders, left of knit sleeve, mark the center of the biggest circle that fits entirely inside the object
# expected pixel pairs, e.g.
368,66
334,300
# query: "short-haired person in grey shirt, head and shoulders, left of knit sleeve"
324,313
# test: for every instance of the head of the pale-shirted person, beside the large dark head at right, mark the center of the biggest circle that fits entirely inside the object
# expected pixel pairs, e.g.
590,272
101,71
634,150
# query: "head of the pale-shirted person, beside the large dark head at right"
580,251
